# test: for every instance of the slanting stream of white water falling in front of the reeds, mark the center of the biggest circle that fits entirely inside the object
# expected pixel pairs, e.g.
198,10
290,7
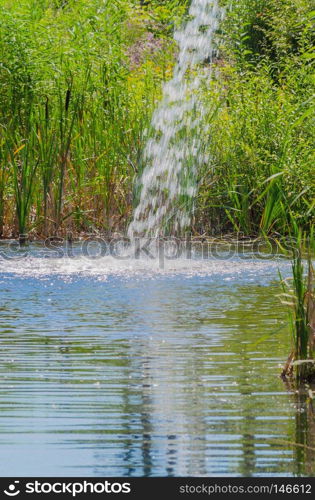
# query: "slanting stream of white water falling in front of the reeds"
173,154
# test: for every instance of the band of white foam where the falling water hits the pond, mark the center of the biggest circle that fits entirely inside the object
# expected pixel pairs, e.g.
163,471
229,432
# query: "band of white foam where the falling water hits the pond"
102,268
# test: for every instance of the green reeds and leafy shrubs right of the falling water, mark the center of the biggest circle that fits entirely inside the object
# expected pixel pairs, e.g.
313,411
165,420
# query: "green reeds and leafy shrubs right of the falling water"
260,132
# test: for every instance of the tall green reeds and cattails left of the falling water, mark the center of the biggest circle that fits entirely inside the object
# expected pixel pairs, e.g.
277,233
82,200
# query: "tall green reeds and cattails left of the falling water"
78,83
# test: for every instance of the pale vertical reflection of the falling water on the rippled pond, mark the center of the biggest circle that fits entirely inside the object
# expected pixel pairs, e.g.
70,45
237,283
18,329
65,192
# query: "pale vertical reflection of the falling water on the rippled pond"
165,415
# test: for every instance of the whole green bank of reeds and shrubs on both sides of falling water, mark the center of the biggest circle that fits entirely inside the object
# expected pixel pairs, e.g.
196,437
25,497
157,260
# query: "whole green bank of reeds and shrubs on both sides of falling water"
78,84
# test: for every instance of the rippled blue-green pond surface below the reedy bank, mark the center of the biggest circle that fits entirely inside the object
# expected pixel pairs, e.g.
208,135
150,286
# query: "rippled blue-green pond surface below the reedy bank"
121,368
